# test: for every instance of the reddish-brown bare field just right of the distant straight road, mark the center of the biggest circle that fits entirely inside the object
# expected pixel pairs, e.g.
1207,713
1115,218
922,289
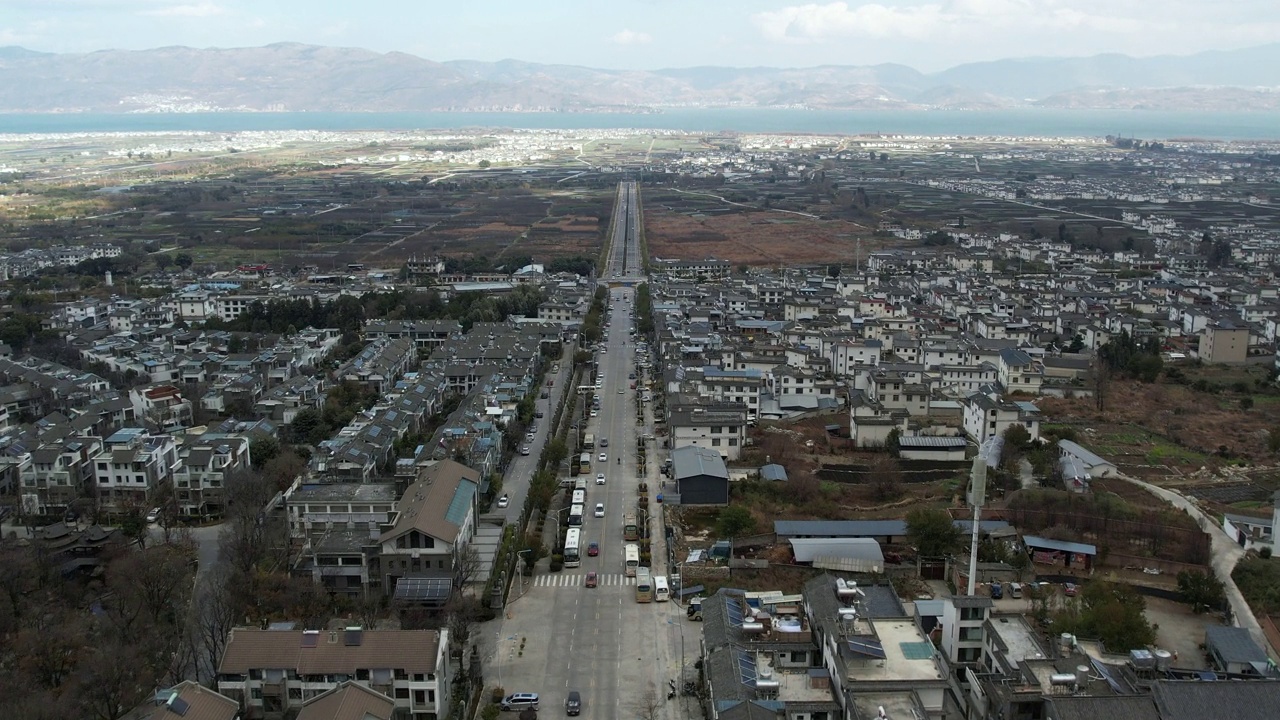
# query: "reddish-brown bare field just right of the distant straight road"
757,238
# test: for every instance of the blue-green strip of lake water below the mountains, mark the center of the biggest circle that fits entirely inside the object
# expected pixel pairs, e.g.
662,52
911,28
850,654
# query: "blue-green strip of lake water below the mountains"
1148,125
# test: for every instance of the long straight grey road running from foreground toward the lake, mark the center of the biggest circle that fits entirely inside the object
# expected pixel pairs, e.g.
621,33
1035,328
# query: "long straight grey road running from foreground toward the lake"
560,636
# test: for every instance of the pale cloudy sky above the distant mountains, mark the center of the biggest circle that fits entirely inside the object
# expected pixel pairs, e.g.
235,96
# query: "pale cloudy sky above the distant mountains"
929,35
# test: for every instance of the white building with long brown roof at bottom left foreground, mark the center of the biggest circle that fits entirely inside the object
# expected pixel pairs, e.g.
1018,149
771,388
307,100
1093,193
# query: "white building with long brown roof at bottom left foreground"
273,673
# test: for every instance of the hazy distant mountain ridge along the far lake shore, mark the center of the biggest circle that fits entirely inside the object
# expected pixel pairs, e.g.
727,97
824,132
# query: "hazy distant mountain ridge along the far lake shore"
298,78
